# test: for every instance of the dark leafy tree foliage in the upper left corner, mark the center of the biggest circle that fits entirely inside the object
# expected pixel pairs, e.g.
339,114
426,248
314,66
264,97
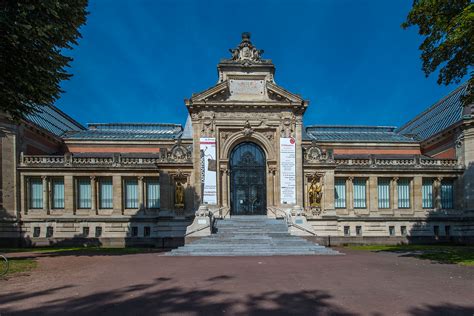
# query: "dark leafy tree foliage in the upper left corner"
33,38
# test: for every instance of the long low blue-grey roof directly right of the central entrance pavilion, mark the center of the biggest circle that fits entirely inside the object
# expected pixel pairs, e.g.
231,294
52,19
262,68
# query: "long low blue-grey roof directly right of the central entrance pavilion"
368,134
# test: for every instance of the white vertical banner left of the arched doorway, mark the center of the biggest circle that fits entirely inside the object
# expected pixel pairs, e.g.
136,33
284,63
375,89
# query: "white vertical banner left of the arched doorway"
208,170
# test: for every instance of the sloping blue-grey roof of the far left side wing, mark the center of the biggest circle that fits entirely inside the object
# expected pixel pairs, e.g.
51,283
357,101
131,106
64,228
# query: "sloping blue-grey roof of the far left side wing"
53,120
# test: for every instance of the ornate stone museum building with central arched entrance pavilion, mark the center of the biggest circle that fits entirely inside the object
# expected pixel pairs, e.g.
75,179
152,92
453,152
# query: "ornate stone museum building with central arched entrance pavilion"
243,152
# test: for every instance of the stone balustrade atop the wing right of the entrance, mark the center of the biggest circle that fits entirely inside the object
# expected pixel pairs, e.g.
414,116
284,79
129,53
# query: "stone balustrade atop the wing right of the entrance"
387,162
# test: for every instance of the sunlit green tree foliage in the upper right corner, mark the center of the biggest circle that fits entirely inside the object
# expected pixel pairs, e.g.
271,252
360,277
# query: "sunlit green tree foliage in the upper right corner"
448,28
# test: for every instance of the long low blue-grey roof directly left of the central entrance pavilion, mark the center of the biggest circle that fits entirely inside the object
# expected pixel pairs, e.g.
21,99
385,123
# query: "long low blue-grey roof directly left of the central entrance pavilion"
127,131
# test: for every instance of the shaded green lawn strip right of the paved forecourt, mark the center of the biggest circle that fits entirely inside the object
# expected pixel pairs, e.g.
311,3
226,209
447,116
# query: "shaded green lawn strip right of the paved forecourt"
463,255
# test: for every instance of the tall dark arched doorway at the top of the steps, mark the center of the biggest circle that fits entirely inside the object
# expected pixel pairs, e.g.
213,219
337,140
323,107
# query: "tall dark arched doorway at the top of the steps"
247,180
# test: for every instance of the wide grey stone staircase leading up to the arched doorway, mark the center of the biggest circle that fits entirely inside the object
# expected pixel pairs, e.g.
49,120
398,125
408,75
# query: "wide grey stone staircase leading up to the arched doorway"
251,236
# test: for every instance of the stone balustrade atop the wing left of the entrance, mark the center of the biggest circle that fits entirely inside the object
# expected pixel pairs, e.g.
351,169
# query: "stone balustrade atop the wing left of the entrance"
116,160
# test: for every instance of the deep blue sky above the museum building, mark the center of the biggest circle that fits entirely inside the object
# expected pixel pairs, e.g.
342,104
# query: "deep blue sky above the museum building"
138,60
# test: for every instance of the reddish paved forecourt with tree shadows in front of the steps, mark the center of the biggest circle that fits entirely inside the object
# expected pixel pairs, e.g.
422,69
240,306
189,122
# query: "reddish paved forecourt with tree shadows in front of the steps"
360,283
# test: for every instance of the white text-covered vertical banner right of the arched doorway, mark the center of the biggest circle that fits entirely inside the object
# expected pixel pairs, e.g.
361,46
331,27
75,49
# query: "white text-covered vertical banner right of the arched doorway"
287,171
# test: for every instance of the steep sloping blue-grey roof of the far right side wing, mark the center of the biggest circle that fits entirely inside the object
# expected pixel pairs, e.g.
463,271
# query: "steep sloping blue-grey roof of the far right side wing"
438,117
